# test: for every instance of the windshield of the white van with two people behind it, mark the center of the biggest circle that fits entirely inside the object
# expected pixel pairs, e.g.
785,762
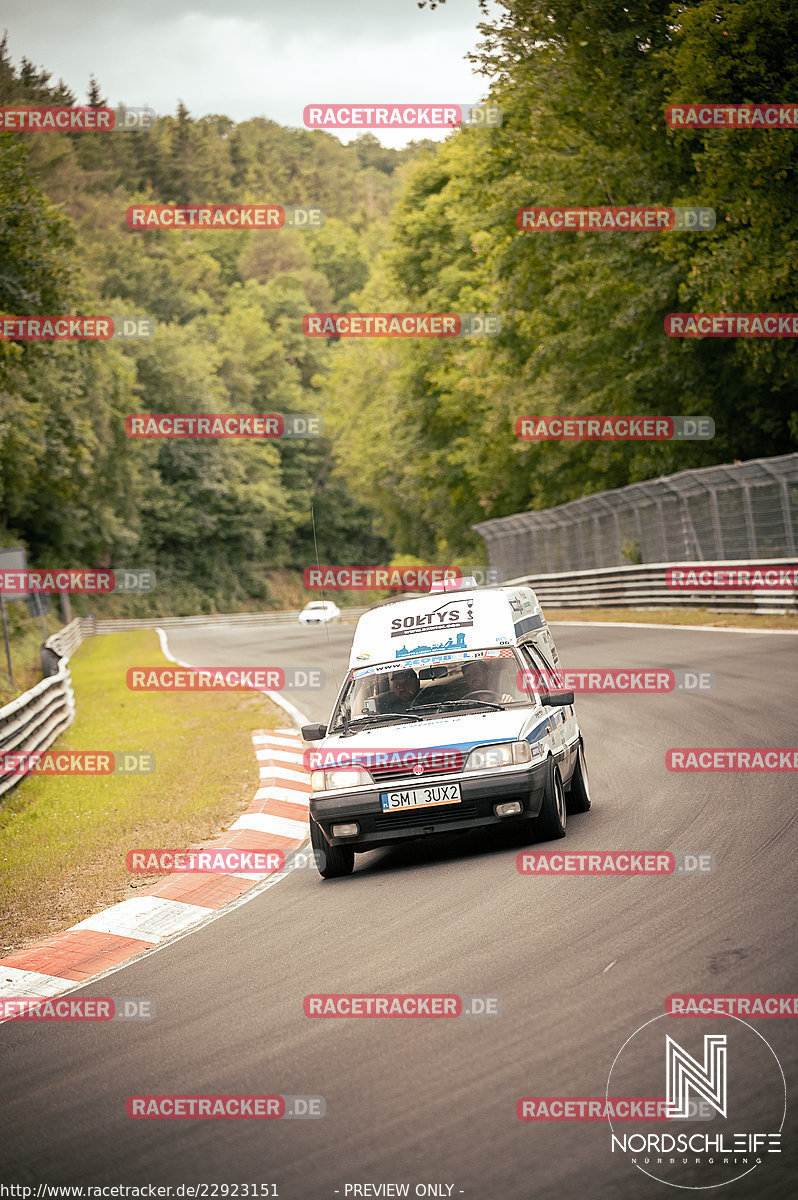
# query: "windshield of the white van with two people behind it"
476,681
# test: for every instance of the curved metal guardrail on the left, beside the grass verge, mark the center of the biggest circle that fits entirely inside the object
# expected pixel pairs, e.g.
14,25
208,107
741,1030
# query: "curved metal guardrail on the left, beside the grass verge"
34,721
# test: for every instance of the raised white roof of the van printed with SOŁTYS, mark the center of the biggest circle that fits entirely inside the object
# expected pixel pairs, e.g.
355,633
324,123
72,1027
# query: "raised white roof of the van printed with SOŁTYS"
446,626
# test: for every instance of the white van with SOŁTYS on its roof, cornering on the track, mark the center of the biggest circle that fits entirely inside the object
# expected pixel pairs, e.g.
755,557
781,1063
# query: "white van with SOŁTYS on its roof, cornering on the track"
446,723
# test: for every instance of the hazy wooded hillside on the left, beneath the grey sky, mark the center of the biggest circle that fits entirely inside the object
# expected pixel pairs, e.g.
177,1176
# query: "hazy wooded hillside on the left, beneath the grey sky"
211,518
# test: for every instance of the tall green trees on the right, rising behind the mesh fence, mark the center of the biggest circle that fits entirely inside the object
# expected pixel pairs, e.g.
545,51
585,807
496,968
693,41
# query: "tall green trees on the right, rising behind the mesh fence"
584,89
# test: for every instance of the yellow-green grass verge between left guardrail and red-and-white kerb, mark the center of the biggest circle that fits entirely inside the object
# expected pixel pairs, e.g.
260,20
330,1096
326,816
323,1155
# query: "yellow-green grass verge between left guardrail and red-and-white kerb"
64,839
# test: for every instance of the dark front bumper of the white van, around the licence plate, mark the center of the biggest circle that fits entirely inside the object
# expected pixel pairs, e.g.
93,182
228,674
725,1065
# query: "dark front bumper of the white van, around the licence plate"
479,795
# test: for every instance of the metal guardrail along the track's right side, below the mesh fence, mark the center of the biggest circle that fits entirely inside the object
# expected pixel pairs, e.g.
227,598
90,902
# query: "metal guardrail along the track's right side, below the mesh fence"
645,587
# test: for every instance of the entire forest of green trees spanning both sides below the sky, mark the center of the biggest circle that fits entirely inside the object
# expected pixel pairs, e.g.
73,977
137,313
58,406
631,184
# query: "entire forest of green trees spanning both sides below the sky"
421,434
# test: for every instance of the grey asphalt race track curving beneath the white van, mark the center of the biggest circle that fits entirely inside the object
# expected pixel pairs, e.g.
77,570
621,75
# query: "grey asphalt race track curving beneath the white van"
578,963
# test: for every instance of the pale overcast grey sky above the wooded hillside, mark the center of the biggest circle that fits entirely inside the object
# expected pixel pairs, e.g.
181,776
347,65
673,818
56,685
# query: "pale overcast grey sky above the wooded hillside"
255,58
